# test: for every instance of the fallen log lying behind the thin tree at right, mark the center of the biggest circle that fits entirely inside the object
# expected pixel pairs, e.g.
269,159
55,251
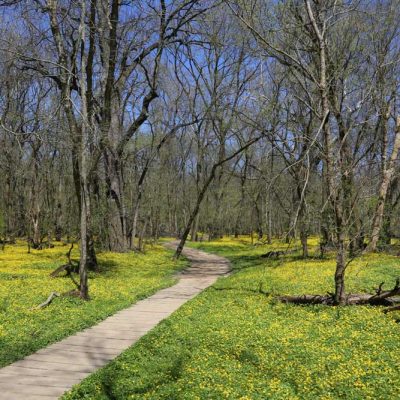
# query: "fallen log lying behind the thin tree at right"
380,298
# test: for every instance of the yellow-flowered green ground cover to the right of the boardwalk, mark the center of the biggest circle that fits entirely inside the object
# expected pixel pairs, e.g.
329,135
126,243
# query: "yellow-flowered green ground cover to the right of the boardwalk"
232,342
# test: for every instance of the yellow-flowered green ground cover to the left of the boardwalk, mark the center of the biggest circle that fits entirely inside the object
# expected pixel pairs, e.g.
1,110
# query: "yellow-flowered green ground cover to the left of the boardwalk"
25,283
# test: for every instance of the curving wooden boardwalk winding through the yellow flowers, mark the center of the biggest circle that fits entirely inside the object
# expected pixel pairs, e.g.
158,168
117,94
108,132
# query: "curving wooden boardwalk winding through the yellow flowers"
49,372
